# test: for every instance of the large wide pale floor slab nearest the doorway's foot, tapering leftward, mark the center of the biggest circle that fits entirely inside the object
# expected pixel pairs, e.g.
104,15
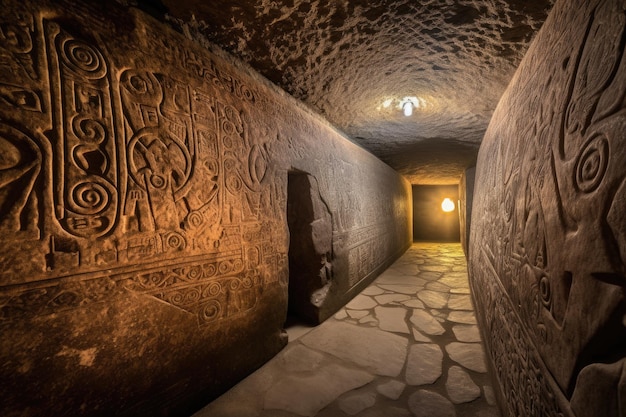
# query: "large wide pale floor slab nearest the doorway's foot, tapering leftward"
381,351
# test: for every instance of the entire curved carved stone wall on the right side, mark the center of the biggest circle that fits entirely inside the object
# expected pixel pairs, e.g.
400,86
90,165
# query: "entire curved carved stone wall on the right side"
548,240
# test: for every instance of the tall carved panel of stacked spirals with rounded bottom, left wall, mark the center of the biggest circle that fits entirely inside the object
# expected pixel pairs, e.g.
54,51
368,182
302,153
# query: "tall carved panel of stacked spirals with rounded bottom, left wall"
85,158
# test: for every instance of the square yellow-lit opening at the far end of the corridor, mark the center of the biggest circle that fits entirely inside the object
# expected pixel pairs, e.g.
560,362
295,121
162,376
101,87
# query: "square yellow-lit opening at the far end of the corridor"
430,222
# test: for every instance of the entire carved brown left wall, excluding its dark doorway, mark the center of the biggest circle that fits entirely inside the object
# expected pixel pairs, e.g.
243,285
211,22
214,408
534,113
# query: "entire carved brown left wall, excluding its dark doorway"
143,209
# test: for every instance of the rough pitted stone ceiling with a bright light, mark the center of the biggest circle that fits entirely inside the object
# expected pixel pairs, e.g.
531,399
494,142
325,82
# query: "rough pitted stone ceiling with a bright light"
346,58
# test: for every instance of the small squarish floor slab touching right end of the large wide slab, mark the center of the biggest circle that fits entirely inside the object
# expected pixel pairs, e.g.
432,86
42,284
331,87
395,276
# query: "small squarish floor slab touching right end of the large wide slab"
423,364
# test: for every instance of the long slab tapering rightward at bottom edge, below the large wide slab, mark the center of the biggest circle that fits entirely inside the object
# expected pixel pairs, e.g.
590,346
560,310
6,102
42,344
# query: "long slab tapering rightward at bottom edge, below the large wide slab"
306,395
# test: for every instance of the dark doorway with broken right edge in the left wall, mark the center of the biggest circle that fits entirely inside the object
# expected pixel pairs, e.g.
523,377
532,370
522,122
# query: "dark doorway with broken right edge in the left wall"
310,247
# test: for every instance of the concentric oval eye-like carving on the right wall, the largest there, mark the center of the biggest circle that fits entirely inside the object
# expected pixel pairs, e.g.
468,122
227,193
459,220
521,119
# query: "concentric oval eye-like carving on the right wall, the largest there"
591,164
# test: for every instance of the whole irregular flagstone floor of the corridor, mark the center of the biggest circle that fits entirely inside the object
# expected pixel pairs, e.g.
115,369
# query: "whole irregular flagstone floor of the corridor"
408,345
